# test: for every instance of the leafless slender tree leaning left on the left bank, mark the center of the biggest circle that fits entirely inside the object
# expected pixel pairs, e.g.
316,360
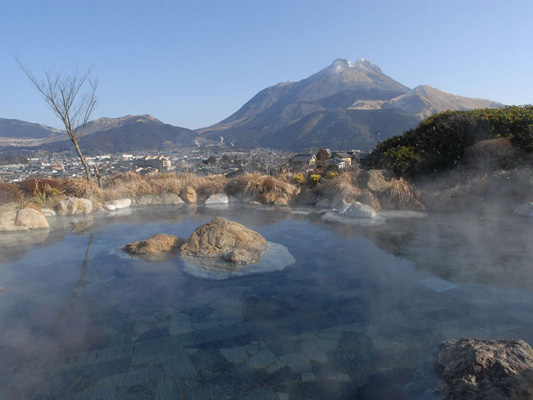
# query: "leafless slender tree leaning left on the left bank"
63,92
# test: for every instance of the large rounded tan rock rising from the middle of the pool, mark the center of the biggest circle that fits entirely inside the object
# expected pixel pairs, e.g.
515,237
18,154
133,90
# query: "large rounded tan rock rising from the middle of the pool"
223,238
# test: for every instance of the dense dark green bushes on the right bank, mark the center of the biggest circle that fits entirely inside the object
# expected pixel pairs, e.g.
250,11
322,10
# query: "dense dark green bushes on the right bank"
452,138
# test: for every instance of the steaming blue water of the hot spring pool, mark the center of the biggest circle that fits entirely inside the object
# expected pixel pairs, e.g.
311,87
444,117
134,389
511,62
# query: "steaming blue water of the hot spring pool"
358,315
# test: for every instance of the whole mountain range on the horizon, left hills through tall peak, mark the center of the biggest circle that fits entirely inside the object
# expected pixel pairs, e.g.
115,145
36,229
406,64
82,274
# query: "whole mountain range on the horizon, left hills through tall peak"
346,105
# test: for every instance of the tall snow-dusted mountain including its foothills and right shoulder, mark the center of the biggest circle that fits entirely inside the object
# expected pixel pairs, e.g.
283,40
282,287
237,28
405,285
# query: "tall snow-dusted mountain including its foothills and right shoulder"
342,106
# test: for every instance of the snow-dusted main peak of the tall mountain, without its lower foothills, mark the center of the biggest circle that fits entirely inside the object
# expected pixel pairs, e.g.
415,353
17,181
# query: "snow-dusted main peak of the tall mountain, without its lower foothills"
334,87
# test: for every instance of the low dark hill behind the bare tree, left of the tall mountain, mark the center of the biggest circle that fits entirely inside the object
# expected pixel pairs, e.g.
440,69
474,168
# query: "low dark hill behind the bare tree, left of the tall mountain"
126,134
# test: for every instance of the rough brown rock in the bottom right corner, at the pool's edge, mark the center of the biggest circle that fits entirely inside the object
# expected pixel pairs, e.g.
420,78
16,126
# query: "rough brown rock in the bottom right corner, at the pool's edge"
478,369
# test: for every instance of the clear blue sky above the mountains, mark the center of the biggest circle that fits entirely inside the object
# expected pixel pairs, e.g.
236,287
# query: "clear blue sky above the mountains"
193,63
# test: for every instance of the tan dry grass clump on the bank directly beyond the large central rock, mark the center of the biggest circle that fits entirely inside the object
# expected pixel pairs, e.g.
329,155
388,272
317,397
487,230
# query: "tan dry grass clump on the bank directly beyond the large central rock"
258,186
